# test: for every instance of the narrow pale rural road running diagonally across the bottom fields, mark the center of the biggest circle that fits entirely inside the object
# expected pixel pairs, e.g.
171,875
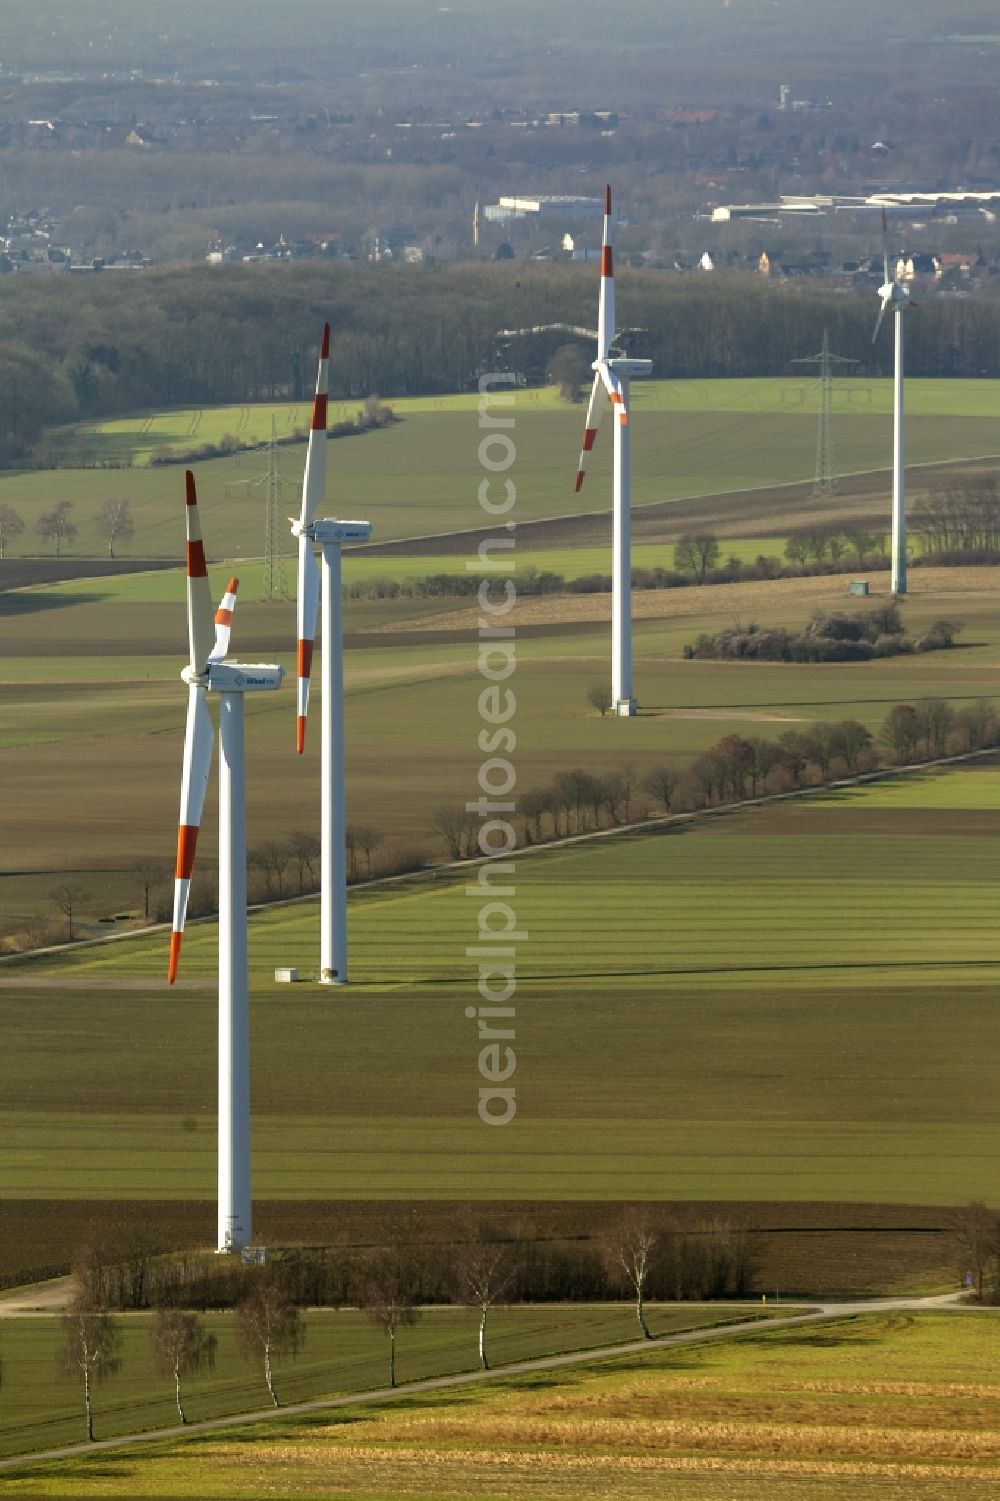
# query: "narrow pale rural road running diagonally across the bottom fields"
816,1314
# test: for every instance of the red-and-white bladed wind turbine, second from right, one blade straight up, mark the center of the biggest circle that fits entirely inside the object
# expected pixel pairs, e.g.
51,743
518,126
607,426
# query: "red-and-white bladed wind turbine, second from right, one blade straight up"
612,379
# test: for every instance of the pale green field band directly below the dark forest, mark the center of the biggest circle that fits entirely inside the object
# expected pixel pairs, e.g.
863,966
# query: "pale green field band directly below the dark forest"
421,477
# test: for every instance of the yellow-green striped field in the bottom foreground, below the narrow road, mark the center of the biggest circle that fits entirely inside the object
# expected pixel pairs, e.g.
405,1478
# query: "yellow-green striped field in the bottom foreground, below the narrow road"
884,1406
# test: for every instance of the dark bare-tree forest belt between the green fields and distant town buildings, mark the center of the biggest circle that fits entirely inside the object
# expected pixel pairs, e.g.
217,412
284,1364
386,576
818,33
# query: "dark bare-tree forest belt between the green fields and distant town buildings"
112,344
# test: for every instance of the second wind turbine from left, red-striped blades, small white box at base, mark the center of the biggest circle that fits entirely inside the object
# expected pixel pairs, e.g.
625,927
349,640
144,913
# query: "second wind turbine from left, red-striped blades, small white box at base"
330,535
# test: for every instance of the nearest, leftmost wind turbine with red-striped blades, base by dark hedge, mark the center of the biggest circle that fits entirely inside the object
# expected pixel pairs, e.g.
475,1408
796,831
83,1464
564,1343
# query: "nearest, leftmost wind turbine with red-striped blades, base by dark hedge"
209,673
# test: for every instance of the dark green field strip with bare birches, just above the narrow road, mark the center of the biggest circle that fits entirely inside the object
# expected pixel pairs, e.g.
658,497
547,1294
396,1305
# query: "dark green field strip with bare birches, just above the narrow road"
343,1353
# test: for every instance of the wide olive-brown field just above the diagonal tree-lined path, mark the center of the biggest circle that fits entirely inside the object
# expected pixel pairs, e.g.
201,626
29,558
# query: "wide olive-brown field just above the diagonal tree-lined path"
92,712
